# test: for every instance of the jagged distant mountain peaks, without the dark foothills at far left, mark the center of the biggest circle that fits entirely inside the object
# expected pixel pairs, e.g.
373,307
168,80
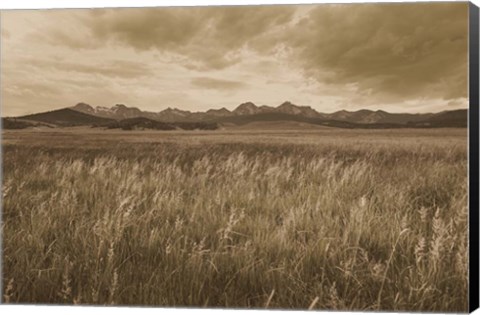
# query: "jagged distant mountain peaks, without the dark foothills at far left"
248,111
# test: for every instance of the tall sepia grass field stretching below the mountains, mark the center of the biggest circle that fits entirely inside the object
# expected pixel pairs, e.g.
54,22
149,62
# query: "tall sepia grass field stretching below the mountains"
322,219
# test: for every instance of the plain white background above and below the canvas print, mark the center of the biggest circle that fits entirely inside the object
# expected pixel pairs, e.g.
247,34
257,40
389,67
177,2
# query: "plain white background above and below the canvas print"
32,4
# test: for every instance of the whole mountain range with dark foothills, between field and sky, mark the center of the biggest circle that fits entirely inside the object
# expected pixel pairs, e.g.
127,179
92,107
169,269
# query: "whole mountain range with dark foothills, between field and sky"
122,116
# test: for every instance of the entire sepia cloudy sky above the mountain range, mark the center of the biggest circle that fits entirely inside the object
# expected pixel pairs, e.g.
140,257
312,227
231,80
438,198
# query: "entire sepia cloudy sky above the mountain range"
397,57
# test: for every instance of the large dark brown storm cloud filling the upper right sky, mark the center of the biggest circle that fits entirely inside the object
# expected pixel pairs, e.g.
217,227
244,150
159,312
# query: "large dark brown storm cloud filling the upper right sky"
391,51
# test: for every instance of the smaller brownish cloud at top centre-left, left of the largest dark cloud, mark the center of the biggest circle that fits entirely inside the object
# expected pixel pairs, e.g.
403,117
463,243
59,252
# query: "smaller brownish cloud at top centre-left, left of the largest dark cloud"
209,37
